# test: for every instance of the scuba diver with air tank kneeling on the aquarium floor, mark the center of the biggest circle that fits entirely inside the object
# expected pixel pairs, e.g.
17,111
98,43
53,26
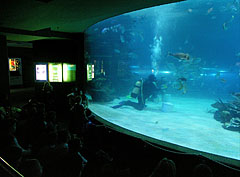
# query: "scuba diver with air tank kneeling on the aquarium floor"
142,91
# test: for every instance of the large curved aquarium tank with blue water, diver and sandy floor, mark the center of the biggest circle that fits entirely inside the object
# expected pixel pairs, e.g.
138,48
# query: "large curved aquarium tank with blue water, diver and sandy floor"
171,75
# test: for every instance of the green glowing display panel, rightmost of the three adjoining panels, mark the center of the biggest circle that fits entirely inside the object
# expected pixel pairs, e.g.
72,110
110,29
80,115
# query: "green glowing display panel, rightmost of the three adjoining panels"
69,72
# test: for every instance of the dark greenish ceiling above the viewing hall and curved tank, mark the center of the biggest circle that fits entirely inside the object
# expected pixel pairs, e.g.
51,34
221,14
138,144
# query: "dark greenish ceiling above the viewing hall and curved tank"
18,17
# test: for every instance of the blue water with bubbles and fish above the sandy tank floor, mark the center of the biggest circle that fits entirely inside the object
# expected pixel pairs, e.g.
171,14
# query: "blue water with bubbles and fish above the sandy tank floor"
133,45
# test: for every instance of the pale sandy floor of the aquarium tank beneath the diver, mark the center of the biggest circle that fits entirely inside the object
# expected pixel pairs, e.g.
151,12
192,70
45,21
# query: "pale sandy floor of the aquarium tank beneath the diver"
188,125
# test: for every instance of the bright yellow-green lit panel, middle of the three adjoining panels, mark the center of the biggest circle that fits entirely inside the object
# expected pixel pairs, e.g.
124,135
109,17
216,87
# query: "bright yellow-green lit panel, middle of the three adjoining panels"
55,72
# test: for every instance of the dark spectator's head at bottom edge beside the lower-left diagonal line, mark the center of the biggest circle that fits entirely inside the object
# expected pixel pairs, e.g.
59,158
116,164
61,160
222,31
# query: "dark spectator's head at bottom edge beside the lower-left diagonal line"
31,168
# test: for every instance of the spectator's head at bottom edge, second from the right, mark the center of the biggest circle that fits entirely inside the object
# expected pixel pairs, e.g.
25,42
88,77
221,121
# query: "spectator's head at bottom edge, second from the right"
164,168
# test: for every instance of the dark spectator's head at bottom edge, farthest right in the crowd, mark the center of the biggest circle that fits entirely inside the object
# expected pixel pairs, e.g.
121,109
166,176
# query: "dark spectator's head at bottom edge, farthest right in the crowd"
202,170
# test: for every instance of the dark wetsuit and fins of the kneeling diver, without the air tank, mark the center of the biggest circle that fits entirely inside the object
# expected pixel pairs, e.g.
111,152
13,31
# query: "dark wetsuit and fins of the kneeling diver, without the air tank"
149,88
